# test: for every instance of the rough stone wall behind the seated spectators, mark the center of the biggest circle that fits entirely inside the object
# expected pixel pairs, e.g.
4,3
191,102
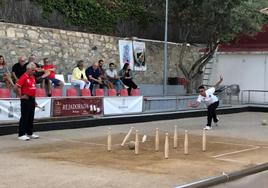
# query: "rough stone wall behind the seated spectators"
64,48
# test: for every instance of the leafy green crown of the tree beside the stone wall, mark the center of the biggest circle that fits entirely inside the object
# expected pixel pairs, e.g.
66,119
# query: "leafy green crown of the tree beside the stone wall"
217,20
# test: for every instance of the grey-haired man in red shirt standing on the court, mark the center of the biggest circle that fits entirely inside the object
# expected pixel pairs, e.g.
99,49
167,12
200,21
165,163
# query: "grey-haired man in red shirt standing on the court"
25,90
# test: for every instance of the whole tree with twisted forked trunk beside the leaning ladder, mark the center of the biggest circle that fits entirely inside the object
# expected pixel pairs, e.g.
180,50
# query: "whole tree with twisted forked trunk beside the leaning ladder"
212,22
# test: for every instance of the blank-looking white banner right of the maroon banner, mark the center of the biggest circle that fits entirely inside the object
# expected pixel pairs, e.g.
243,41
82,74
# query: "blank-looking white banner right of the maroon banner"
122,105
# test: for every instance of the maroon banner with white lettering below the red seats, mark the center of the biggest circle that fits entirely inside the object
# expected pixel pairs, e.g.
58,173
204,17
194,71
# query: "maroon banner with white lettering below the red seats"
77,106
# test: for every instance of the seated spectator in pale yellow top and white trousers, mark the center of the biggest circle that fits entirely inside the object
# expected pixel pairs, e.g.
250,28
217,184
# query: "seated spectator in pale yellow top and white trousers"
79,77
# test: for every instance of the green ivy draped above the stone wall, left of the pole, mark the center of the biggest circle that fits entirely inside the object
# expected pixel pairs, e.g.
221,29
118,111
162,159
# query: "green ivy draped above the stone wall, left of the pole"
97,15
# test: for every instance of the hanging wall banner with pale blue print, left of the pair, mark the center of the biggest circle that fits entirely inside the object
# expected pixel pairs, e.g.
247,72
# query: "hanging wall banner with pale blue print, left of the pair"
126,53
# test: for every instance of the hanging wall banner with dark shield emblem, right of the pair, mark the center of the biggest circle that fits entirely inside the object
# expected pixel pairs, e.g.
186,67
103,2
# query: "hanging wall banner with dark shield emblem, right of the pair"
139,56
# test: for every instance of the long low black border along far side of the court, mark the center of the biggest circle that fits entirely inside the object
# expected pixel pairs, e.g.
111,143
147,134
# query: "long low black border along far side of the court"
60,124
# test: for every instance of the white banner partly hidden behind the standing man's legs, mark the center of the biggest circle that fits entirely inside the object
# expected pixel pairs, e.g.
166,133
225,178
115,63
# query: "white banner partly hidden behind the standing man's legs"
10,109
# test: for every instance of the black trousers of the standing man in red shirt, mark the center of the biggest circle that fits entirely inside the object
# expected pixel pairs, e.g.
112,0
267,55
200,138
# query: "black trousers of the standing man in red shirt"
27,116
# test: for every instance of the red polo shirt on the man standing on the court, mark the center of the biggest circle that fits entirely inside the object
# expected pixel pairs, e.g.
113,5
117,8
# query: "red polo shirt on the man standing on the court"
27,85
